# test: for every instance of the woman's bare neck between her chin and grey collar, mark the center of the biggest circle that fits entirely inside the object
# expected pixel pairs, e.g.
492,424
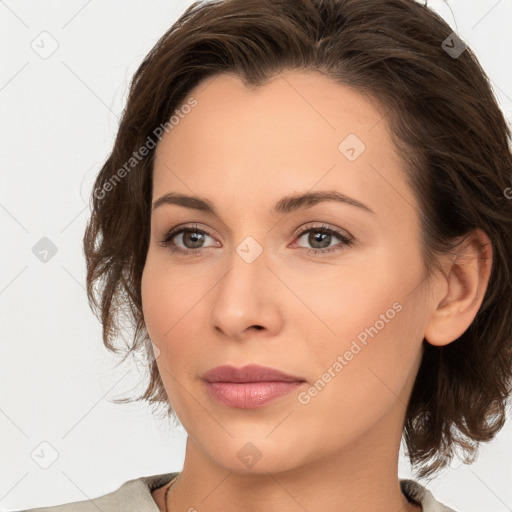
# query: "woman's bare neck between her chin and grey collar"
346,481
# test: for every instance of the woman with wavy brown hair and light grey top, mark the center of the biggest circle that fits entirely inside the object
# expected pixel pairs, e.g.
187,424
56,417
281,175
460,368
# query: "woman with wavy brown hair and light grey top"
307,214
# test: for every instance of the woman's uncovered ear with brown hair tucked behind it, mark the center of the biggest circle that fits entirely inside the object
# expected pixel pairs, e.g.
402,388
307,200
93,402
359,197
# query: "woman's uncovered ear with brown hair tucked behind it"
460,292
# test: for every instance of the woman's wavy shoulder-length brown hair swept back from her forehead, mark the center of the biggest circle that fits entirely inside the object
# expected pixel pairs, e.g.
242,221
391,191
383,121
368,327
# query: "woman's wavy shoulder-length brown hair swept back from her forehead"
445,123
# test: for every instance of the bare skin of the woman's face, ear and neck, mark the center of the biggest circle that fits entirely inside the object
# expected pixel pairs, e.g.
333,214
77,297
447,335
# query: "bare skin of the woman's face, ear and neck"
243,150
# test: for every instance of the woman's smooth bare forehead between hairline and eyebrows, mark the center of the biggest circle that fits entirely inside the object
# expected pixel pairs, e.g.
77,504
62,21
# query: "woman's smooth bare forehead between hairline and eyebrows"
299,131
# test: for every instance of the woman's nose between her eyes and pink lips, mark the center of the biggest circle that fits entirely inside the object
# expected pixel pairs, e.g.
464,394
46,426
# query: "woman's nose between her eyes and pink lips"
248,298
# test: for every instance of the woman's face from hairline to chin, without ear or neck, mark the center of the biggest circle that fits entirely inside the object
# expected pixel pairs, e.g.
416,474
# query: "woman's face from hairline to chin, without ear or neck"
348,319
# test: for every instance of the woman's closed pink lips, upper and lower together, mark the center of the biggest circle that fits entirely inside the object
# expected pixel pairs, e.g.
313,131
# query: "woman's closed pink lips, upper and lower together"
249,387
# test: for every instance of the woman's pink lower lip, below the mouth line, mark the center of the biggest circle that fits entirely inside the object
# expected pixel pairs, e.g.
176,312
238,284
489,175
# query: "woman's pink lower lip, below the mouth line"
249,395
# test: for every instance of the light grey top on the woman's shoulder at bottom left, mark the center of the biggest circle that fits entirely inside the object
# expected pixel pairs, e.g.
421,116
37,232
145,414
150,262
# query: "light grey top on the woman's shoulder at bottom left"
133,494
